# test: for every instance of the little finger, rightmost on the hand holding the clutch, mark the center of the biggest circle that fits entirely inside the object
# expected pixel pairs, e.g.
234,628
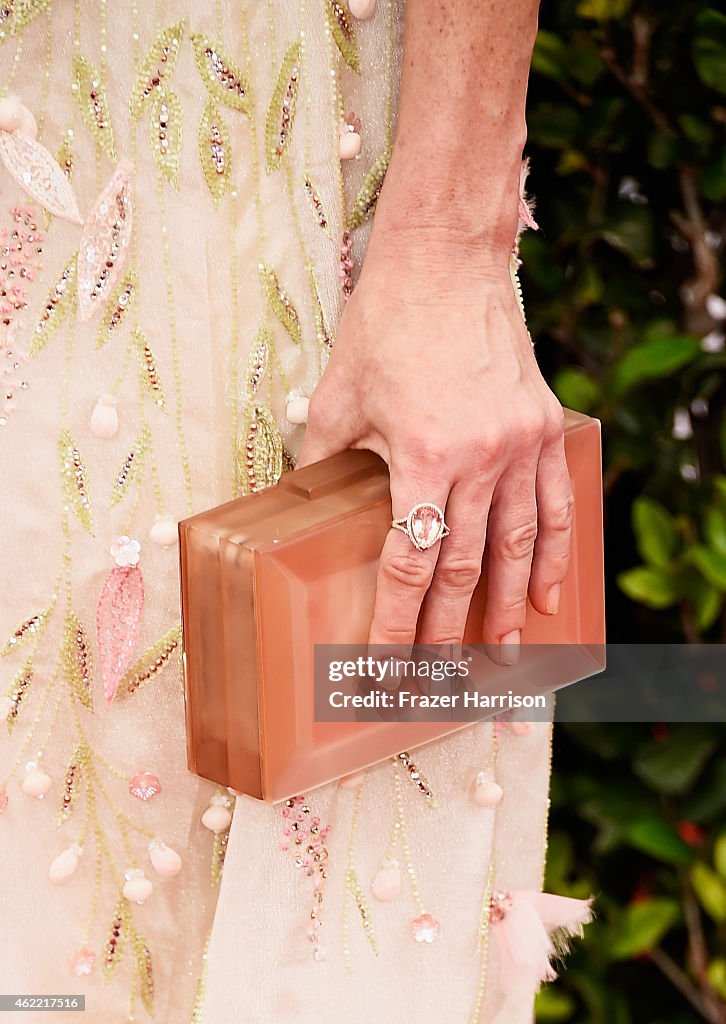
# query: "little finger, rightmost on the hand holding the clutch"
556,508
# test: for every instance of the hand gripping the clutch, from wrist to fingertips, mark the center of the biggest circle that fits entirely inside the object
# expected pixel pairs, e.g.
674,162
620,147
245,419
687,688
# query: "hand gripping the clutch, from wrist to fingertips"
434,370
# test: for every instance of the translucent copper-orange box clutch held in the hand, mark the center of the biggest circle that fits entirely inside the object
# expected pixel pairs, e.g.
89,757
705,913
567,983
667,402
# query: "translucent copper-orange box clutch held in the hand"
268,577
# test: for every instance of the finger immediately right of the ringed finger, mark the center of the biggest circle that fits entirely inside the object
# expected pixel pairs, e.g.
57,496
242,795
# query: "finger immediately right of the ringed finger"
459,565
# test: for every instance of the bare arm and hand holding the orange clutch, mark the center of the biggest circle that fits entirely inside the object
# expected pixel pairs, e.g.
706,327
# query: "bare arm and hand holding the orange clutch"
433,367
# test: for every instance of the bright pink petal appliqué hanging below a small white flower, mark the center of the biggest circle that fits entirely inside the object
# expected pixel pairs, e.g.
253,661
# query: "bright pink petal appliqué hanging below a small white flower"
118,622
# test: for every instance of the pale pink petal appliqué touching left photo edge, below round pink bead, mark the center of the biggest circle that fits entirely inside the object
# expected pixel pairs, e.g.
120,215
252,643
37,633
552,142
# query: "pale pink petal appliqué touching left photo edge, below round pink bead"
36,172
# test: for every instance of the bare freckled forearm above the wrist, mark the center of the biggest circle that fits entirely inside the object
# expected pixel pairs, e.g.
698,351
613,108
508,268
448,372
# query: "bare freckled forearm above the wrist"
461,124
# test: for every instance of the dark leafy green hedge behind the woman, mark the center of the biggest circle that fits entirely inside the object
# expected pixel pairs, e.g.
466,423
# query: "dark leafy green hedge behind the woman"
627,136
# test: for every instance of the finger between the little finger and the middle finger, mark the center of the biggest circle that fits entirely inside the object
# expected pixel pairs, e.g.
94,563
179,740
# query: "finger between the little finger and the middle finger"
511,536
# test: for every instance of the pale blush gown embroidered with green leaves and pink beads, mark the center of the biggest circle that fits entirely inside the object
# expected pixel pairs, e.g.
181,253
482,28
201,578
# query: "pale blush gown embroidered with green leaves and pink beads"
168,283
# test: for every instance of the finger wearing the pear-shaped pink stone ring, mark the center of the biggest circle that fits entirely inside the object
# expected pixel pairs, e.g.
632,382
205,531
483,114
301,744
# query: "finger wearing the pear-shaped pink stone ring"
405,574
